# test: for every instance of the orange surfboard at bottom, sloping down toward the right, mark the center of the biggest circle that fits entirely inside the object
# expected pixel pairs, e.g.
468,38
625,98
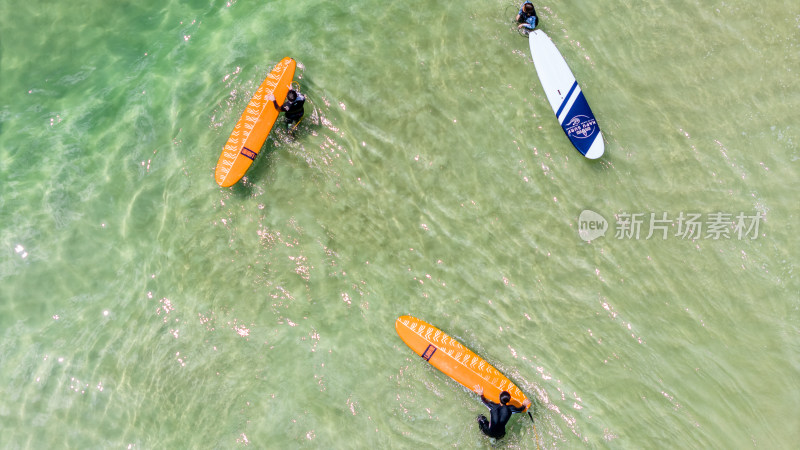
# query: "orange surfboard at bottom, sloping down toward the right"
455,360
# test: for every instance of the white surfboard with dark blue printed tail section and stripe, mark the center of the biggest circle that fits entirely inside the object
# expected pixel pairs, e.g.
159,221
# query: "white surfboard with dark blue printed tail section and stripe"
565,96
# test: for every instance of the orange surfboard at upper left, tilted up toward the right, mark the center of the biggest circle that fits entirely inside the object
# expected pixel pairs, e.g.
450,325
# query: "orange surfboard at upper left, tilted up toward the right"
253,127
